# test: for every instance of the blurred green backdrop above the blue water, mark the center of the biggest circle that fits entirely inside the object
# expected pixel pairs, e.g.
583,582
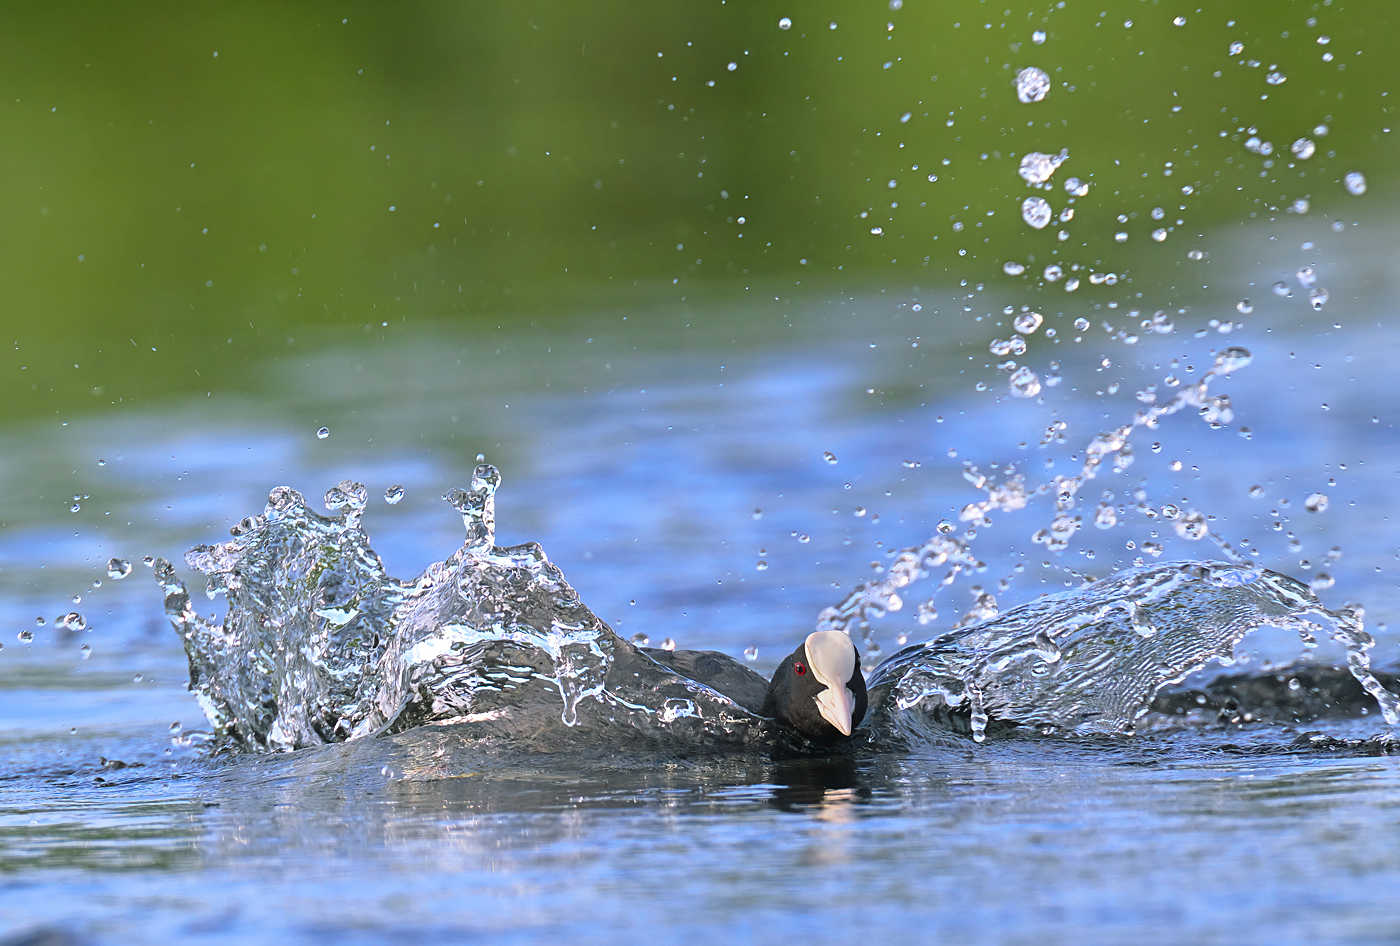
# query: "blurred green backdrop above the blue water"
191,190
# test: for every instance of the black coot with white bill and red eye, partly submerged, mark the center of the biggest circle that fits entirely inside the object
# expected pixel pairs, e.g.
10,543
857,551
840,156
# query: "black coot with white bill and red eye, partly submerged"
818,691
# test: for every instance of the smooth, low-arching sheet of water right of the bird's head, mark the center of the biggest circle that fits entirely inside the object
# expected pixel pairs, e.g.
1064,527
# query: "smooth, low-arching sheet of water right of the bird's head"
1091,661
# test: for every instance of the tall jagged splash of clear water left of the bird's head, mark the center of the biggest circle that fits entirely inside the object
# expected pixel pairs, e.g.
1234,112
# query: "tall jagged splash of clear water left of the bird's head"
321,646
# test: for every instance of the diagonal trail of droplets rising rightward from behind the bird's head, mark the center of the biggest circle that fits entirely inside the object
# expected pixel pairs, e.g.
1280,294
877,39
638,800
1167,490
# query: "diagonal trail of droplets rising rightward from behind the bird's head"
873,600
